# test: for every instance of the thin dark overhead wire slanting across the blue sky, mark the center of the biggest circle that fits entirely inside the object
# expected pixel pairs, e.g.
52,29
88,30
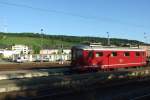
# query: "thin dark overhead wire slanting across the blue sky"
99,18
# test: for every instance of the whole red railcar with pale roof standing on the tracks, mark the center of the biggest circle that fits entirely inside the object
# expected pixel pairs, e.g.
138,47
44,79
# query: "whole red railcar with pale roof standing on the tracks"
88,57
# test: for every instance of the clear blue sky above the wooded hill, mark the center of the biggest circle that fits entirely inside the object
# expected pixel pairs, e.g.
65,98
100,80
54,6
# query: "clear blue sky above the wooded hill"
128,19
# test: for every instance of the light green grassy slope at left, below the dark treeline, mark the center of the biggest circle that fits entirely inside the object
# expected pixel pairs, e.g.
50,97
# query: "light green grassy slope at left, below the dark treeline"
31,41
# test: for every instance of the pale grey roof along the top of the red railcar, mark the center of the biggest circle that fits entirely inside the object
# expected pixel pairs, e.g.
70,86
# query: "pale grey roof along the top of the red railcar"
85,47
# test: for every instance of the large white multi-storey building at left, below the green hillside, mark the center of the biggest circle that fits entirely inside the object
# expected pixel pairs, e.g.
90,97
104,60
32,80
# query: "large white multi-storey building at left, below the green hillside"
21,49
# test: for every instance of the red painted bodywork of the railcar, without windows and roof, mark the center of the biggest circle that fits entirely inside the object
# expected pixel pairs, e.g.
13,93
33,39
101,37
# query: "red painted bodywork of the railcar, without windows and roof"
107,61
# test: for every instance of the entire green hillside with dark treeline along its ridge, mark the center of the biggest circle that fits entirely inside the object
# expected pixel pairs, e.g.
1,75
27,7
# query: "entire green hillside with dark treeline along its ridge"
37,41
